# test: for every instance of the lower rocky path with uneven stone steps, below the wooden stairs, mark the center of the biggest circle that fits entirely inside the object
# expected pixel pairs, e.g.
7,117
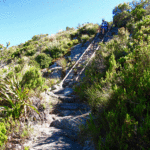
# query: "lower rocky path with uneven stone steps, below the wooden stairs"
61,128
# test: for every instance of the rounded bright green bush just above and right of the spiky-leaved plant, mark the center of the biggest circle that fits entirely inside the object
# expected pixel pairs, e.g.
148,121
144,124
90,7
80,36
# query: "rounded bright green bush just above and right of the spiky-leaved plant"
32,79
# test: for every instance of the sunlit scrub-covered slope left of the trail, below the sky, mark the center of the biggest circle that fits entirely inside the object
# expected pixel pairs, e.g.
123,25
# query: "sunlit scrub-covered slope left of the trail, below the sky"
22,78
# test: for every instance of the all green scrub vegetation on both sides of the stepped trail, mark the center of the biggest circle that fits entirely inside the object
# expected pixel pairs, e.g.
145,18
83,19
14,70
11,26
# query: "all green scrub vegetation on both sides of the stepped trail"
118,91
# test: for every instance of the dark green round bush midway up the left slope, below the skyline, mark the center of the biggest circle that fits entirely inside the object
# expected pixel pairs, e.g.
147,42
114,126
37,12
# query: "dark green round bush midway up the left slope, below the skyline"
44,60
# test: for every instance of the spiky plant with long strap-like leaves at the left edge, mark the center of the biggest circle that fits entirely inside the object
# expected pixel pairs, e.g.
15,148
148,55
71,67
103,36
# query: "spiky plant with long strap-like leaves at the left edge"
14,99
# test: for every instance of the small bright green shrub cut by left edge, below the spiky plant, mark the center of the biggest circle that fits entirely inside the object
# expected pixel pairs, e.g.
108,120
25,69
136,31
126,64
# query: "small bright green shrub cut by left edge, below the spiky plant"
3,137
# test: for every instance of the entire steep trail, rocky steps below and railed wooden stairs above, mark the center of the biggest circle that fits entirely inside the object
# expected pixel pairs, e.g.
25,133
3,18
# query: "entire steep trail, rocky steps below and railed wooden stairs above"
62,126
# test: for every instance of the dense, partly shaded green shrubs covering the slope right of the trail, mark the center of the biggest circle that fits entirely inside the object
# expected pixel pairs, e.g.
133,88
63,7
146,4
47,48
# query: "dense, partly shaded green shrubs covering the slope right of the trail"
119,95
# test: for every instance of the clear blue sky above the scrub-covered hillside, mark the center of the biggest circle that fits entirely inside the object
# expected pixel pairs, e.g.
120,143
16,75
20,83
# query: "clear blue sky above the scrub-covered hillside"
20,20
